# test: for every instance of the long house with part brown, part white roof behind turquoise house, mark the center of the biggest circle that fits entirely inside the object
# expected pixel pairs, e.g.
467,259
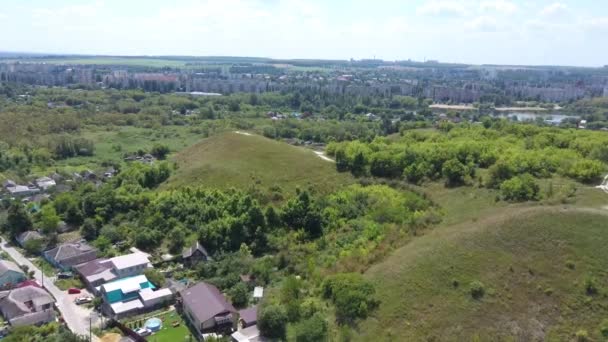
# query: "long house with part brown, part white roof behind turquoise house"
100,271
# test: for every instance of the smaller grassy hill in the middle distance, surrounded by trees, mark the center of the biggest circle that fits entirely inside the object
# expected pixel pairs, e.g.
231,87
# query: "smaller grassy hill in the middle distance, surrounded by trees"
238,160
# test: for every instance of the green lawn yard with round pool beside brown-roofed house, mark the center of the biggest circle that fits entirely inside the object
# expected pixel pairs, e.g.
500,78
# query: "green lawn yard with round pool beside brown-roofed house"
168,333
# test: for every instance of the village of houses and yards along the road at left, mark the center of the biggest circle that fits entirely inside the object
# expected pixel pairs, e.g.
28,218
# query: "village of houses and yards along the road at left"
68,282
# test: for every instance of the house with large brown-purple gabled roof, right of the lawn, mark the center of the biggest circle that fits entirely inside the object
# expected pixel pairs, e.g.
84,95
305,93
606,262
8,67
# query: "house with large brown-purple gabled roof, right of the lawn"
207,309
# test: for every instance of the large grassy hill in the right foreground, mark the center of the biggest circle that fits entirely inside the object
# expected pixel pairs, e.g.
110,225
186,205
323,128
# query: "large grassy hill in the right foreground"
534,263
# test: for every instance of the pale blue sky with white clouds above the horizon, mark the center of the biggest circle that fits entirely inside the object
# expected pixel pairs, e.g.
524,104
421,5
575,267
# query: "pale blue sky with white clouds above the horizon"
466,31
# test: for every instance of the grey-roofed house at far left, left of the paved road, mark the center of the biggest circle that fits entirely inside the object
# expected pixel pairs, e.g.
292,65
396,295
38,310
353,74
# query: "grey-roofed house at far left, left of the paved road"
28,305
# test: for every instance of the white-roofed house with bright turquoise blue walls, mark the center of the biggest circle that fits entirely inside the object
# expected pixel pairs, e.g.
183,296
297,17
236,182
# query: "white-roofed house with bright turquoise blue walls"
133,295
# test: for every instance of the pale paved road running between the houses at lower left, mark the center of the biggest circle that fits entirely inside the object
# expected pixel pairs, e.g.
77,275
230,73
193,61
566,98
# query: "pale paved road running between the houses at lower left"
76,317
